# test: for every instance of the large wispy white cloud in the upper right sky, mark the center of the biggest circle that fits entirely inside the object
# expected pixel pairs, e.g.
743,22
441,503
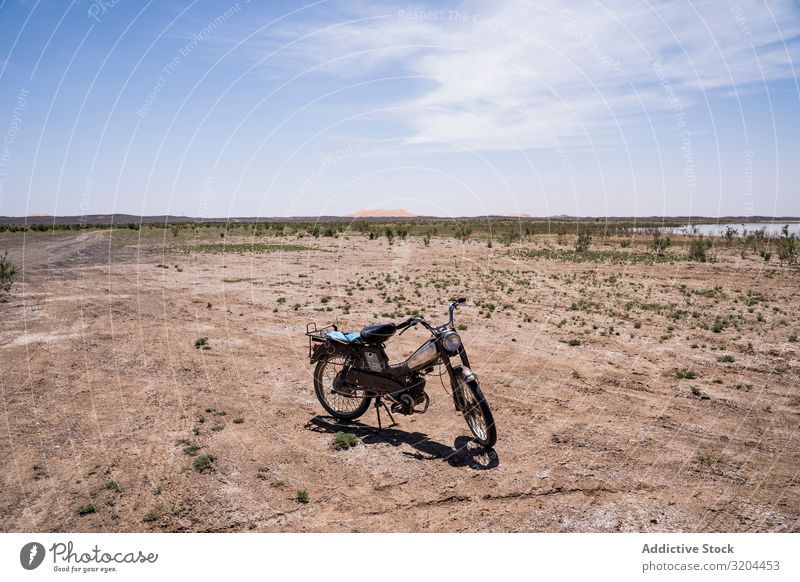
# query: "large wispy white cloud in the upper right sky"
507,75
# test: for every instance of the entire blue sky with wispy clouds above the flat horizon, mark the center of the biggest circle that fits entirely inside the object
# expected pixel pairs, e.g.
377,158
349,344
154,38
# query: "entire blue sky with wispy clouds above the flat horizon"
222,109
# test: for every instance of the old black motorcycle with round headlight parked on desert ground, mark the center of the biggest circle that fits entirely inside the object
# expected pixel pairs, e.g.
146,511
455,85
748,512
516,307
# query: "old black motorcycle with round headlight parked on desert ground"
353,370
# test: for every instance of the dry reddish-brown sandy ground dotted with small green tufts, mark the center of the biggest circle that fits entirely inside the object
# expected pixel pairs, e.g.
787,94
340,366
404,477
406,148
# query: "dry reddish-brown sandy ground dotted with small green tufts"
101,380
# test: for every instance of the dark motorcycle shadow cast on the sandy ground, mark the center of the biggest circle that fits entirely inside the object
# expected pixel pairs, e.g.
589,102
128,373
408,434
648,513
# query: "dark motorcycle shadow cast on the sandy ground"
465,452
